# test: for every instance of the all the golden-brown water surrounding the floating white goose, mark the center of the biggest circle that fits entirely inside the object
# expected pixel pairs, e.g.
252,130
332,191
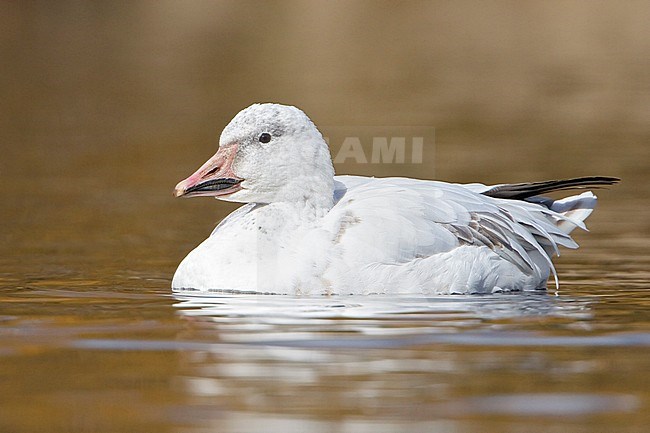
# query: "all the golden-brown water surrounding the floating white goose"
106,107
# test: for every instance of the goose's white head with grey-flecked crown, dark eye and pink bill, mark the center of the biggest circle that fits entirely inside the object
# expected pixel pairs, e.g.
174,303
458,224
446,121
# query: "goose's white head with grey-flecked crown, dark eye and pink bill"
267,153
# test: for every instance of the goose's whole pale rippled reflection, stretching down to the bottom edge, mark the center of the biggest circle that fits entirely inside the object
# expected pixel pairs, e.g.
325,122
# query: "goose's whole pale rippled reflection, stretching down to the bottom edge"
405,361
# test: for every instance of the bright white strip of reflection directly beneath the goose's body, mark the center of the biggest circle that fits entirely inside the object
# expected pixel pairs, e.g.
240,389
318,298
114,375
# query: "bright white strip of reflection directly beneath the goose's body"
488,306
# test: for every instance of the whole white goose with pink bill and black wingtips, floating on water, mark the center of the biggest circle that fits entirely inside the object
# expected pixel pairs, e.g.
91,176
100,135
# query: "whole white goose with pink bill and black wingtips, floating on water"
304,230
